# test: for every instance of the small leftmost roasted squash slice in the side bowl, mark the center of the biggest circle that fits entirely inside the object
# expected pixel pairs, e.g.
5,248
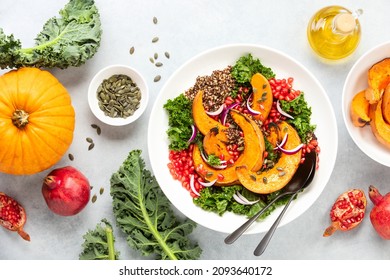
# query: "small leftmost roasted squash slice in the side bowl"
359,110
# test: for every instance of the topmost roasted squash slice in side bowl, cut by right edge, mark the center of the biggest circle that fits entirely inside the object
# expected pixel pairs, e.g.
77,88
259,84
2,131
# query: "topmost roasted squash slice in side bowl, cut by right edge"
378,79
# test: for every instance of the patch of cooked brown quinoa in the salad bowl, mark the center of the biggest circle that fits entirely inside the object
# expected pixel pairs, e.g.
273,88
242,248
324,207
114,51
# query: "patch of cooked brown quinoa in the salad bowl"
216,87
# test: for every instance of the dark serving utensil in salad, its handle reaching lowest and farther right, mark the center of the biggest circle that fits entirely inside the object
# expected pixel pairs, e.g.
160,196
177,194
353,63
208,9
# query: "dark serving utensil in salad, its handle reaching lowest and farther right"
310,161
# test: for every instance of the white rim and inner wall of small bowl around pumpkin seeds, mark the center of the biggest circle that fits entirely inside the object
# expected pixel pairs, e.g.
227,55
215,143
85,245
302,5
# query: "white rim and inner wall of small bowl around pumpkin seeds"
106,73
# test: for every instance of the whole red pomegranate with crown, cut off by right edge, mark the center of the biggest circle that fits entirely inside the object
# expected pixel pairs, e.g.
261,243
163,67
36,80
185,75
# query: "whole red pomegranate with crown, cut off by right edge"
380,213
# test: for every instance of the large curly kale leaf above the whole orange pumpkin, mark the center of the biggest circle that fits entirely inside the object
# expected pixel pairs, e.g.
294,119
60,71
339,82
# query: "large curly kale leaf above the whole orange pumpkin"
68,40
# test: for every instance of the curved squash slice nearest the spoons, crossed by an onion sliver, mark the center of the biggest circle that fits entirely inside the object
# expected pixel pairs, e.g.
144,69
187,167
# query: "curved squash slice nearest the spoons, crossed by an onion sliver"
277,177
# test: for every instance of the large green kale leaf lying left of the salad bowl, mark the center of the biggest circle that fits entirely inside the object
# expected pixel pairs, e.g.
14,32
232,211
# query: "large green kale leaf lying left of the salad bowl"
144,214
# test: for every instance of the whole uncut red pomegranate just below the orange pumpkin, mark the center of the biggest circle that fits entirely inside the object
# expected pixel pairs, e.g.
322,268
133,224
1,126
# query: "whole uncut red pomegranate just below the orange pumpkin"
66,191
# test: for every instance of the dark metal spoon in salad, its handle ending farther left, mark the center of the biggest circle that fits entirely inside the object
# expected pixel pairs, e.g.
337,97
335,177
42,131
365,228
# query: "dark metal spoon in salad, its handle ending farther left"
297,182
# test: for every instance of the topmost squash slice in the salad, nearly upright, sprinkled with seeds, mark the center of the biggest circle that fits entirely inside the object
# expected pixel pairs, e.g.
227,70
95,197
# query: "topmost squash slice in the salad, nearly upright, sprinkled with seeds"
262,96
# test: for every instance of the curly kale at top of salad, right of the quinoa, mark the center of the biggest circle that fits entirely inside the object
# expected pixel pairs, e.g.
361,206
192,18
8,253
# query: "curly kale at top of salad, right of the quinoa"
246,66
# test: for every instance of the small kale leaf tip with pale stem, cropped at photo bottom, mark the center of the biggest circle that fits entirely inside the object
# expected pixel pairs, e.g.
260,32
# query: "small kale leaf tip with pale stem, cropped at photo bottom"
99,243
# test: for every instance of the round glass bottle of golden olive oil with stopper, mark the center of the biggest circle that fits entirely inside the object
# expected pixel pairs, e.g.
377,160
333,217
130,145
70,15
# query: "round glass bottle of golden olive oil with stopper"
334,32
